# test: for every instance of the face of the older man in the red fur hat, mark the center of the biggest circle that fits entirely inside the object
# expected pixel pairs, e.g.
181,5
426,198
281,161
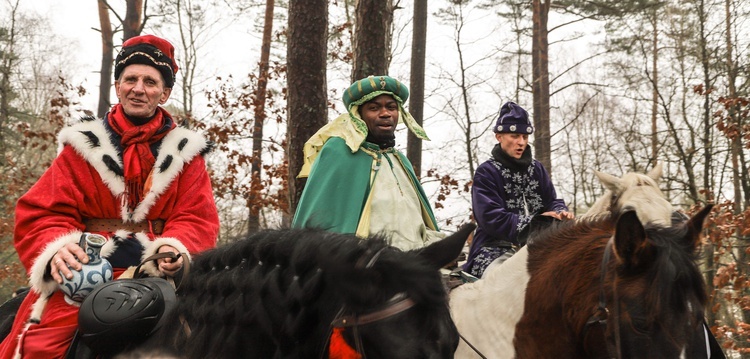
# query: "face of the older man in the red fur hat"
140,90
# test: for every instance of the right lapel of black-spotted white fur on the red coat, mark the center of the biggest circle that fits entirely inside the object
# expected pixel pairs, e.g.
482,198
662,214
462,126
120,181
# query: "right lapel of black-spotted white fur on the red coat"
163,178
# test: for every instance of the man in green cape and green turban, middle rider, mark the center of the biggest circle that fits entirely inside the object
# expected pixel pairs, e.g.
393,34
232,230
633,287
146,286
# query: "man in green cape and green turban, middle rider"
358,182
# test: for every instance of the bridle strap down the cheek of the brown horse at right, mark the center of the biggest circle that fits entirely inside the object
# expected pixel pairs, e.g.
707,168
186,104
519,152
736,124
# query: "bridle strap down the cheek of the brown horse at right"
598,321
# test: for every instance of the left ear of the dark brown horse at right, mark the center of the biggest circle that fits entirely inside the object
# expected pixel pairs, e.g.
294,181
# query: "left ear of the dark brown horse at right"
631,246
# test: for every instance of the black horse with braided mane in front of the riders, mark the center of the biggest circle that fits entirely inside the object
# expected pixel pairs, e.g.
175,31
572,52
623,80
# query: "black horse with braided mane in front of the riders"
305,293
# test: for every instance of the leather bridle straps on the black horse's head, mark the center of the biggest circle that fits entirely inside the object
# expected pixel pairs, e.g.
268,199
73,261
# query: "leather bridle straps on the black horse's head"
398,303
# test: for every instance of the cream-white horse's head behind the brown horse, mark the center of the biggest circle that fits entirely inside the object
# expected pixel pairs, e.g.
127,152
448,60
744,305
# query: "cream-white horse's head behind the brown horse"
634,191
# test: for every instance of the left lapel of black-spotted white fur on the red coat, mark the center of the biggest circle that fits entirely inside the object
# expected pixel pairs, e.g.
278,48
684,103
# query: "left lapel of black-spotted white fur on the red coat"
74,136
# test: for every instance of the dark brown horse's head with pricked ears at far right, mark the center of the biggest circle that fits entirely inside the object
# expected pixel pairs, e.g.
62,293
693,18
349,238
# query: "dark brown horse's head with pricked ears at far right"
654,289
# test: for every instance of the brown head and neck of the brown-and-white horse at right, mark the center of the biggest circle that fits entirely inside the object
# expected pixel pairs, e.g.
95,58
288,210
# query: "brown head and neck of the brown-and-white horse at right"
600,288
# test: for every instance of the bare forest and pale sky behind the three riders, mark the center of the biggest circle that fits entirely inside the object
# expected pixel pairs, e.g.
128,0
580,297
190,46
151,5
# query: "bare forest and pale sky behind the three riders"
615,86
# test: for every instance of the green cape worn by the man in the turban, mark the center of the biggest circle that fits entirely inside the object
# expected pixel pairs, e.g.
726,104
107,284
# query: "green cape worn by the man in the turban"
338,188
